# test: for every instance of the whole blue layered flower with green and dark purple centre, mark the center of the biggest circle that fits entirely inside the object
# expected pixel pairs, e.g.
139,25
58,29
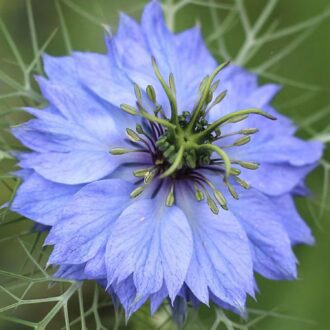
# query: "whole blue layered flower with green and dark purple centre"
156,179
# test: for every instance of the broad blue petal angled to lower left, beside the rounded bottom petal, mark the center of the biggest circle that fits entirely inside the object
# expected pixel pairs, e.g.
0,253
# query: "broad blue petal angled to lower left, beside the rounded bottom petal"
88,219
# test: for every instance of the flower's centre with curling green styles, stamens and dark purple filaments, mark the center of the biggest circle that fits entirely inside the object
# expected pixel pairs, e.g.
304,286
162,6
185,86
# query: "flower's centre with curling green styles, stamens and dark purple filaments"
183,146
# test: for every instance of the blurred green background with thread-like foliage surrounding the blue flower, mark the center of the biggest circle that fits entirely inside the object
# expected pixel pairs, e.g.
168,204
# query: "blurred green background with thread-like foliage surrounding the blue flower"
291,46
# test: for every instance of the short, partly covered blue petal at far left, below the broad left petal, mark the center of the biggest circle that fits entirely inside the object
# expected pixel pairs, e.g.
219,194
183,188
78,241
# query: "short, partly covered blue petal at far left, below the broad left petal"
42,200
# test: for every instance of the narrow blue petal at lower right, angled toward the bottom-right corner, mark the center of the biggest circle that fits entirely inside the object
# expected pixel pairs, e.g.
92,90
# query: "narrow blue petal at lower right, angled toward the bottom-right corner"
270,244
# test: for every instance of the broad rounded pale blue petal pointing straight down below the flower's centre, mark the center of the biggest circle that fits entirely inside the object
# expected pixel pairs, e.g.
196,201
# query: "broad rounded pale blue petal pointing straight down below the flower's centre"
153,242
